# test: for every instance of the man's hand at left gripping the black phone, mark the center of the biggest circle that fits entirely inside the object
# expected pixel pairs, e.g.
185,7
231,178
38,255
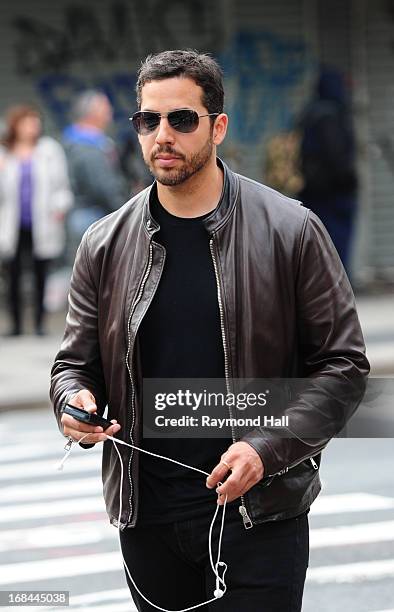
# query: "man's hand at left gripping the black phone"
76,430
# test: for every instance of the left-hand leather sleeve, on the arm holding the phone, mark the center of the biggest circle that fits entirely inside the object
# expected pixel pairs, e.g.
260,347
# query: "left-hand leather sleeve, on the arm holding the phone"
78,363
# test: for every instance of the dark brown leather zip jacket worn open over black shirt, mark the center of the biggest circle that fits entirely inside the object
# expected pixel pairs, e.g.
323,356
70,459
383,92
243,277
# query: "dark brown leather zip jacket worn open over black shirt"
287,310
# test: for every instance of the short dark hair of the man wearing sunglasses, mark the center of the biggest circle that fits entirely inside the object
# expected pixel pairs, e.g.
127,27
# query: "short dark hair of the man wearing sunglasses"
200,67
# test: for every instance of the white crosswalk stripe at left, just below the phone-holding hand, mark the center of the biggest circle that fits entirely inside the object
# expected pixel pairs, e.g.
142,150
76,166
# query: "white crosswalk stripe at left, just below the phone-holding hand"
33,469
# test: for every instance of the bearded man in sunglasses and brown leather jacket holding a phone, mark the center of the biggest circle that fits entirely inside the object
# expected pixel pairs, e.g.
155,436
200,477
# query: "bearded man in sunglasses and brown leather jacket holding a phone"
207,274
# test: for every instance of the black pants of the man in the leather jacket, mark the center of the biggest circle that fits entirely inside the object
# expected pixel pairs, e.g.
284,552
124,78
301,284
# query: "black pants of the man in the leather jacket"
266,564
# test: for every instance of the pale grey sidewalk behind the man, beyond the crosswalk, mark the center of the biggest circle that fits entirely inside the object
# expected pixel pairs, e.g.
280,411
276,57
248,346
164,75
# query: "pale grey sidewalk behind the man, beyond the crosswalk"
25,361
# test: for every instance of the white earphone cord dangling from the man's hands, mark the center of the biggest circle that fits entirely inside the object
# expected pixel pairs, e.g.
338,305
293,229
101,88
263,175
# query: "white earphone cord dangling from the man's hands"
221,586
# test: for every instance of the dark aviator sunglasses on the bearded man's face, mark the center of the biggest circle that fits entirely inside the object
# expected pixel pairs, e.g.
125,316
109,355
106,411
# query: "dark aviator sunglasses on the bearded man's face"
183,120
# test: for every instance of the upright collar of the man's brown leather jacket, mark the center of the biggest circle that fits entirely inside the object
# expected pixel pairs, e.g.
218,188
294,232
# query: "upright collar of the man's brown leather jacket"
217,218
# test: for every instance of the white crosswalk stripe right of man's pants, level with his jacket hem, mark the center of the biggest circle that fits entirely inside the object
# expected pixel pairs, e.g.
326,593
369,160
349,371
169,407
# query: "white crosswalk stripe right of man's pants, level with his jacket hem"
352,534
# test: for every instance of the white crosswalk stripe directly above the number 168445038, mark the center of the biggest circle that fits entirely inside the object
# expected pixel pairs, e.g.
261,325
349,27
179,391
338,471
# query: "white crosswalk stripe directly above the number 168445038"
65,567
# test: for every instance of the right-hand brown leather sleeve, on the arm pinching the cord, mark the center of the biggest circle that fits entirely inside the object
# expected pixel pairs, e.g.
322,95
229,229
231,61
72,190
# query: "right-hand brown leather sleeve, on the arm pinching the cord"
333,361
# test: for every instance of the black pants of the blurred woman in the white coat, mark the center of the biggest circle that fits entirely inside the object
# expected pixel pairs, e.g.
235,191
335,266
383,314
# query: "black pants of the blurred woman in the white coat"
14,268
